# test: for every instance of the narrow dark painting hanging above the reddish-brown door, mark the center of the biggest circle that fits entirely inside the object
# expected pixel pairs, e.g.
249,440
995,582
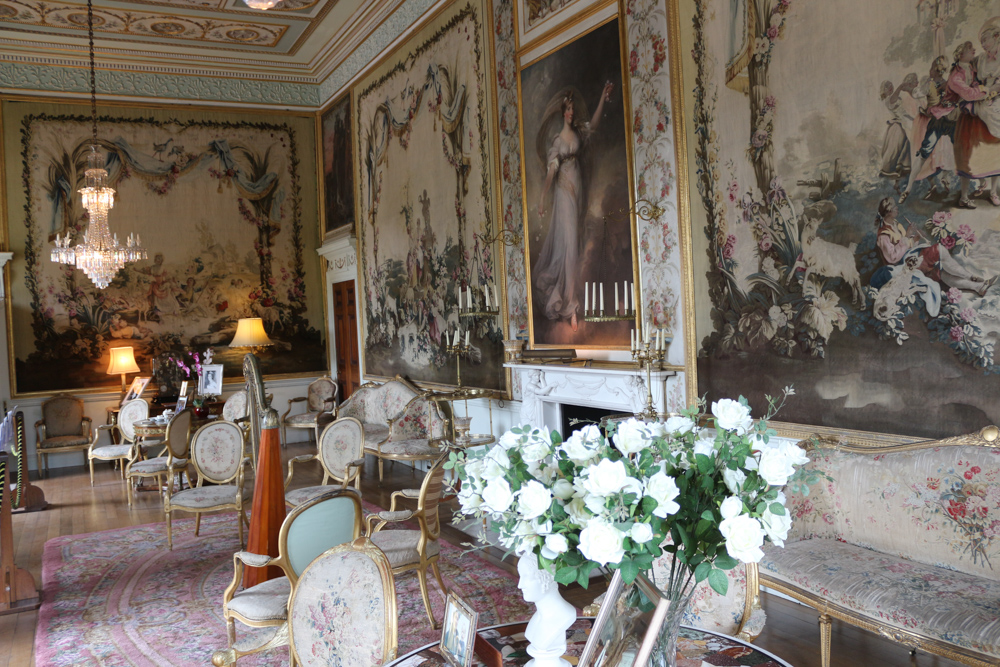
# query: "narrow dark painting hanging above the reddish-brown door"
338,166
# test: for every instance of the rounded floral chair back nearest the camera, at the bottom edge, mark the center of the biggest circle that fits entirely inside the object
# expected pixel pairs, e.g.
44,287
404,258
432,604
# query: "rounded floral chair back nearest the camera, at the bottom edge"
343,609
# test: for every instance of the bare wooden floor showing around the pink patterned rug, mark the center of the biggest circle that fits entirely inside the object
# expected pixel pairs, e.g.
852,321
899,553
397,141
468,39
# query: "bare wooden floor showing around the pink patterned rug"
75,507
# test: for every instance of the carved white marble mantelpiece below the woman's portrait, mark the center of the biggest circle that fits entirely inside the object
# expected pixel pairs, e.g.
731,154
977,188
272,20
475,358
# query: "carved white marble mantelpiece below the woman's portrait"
546,388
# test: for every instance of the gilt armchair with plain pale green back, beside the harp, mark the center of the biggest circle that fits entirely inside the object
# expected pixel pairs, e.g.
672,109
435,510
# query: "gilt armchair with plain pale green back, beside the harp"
310,529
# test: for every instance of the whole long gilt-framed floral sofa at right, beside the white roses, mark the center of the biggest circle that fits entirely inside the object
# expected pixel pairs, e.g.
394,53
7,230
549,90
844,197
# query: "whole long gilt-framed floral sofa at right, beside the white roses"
902,540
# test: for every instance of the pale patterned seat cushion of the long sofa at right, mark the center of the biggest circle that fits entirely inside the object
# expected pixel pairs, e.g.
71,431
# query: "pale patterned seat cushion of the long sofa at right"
951,606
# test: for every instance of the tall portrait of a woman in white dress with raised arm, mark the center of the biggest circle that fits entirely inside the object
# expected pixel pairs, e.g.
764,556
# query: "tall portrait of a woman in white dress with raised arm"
575,167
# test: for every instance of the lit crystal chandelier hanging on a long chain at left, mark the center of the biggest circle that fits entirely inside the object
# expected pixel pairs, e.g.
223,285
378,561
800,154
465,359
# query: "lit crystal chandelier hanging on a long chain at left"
100,256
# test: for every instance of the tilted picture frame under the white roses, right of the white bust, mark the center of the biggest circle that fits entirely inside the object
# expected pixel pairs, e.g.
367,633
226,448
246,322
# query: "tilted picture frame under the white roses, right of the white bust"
628,624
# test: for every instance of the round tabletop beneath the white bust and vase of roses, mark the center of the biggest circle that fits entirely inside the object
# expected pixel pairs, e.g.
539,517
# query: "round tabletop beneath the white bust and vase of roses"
695,648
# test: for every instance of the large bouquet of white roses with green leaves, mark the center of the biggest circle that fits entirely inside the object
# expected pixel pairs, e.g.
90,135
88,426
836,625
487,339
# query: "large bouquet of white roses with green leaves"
613,500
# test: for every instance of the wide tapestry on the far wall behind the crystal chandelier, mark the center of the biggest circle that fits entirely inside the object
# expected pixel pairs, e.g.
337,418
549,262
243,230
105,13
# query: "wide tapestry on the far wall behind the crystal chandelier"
224,205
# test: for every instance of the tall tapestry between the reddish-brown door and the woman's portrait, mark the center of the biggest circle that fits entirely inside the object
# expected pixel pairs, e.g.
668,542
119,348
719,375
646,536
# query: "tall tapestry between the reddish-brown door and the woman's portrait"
427,228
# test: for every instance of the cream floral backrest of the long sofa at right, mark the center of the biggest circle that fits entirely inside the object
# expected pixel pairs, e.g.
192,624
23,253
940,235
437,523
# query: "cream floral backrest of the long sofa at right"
936,505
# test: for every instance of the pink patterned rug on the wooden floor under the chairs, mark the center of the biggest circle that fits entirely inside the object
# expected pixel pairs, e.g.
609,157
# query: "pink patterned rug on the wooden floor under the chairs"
119,598
